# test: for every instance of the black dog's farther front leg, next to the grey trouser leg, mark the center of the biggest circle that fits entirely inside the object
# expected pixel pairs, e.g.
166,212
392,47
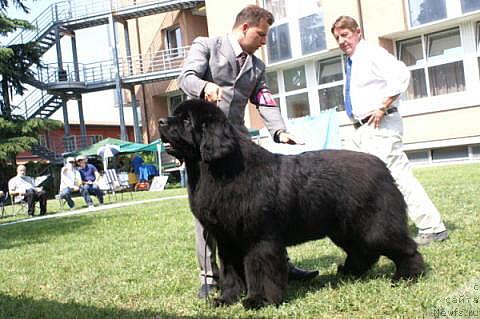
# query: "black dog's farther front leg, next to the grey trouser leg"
232,282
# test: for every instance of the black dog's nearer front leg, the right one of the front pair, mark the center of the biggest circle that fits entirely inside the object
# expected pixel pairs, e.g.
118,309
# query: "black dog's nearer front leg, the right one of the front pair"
266,275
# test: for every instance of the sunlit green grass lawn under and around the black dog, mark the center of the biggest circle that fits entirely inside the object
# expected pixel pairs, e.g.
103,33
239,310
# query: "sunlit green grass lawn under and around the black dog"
139,262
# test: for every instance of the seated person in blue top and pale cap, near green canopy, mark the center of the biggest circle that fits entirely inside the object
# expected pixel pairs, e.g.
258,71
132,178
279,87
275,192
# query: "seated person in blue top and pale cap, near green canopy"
89,175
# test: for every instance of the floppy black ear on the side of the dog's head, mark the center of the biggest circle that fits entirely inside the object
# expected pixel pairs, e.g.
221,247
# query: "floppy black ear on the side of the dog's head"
217,140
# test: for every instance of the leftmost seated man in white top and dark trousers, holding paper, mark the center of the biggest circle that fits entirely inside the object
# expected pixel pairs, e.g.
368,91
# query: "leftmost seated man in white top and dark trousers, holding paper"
22,187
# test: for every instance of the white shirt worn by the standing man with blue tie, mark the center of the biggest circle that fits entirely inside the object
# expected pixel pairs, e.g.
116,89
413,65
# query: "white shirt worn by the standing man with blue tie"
376,75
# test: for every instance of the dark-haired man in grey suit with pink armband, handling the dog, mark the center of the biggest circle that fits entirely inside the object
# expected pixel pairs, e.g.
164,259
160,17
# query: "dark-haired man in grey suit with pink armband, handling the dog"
224,70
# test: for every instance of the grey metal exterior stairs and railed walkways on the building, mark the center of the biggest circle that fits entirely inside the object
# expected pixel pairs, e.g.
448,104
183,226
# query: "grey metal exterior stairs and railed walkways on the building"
63,17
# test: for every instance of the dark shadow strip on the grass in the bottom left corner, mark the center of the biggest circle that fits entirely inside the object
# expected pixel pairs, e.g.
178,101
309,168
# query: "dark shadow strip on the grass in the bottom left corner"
26,307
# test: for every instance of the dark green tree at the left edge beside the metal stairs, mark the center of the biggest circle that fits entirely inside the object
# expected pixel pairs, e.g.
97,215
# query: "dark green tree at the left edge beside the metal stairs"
17,134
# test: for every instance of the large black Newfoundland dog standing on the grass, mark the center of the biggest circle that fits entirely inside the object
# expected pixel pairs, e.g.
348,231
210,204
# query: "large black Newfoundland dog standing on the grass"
256,203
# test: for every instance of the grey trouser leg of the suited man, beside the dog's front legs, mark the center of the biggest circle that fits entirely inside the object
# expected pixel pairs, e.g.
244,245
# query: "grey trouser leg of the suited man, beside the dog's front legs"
206,248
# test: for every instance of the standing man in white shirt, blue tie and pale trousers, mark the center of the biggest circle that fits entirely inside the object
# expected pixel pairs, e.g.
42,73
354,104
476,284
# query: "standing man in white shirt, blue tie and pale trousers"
373,82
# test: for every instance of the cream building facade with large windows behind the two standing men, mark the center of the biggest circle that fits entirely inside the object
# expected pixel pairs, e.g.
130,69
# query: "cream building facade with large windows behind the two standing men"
439,41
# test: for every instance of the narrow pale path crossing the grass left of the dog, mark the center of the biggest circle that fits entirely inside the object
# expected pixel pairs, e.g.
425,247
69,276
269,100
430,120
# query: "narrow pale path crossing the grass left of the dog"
91,210
